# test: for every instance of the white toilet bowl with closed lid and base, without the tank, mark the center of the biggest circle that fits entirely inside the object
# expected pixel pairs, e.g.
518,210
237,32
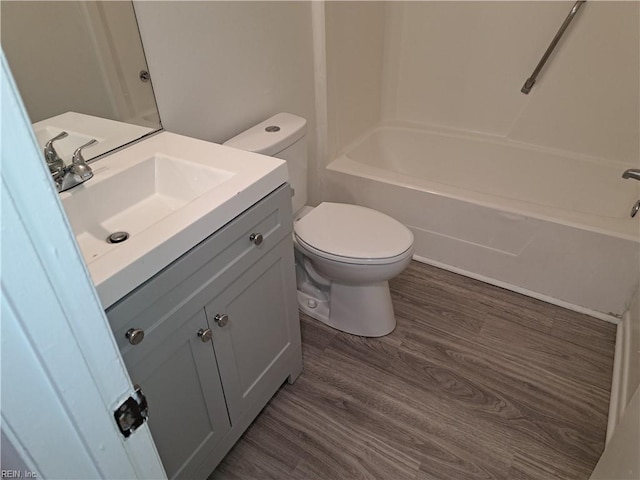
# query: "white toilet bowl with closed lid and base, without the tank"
345,255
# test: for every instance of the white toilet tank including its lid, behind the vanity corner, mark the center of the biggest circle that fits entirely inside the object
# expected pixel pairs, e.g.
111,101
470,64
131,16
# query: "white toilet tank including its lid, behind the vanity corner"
281,136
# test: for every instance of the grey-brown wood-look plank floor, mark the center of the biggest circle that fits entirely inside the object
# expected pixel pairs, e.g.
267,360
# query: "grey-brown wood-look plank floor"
475,382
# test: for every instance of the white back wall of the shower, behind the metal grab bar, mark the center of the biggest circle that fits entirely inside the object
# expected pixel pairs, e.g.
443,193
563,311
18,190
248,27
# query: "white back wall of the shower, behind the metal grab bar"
462,64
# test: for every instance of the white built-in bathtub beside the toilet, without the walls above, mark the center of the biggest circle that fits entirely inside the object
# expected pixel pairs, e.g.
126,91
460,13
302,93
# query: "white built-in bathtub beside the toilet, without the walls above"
548,224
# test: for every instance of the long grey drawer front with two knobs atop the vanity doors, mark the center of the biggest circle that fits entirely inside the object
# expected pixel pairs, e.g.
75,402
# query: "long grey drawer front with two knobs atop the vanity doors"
192,280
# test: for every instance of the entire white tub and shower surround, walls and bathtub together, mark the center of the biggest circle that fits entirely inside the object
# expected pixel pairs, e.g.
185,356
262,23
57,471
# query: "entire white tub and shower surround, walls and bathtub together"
426,122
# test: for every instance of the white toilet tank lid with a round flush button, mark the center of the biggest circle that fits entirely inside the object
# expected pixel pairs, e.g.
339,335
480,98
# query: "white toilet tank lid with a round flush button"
271,136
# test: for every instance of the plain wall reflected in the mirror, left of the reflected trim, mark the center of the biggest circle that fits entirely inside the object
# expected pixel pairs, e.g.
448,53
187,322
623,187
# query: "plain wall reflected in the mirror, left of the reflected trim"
34,34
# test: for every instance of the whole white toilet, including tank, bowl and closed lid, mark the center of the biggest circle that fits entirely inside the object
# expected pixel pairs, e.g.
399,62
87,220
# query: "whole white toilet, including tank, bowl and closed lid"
345,254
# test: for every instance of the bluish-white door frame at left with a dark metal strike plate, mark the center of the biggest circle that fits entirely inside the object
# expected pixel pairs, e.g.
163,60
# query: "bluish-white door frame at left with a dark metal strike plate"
62,373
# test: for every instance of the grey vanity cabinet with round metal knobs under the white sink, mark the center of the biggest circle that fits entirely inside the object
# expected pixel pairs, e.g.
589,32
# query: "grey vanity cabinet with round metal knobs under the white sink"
221,335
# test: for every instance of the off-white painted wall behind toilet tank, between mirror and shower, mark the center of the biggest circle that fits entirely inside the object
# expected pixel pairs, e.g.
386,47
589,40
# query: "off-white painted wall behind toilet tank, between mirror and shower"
220,67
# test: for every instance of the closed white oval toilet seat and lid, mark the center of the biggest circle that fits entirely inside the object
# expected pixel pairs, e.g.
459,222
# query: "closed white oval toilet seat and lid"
353,234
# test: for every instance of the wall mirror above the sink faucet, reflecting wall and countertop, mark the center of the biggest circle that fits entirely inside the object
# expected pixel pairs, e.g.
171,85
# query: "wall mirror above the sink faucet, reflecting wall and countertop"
80,67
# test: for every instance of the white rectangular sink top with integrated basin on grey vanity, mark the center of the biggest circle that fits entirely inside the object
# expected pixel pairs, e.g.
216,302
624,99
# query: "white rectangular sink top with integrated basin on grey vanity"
168,193
